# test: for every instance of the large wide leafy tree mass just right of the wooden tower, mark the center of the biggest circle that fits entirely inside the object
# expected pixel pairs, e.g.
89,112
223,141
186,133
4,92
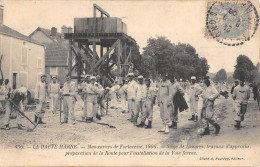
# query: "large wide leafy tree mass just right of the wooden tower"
180,60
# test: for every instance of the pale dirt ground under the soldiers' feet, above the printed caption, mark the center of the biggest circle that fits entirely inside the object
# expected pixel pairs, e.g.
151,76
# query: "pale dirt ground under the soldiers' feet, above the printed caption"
125,133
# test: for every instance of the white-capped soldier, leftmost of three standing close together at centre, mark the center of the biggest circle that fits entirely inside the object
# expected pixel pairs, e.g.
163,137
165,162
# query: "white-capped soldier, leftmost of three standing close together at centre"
131,95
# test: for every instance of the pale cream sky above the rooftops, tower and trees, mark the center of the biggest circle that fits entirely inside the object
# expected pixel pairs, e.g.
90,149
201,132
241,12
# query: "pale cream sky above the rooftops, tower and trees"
179,21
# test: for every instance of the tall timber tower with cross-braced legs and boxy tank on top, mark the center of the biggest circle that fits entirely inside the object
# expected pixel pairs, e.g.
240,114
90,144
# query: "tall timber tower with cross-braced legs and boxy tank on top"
100,33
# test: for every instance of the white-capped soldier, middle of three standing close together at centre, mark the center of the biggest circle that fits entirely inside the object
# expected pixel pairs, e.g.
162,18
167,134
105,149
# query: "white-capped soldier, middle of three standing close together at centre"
140,101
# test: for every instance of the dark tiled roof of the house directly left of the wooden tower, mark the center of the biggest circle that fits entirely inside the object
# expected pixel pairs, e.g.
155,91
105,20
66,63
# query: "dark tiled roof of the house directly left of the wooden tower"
56,54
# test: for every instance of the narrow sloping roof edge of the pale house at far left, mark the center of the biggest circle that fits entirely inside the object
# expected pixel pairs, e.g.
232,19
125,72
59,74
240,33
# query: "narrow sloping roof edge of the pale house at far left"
13,33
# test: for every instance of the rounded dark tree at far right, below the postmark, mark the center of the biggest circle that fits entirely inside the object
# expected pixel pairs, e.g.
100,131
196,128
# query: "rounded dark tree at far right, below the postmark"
245,69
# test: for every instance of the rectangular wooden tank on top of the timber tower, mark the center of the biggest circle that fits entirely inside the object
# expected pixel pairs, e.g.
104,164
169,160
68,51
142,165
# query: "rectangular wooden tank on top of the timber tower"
103,25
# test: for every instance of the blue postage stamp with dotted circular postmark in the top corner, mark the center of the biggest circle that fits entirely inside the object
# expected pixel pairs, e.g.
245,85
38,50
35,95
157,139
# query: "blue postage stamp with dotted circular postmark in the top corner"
231,23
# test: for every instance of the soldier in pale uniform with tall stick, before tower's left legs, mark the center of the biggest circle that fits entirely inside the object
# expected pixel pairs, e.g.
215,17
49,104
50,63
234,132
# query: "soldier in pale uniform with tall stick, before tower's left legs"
68,94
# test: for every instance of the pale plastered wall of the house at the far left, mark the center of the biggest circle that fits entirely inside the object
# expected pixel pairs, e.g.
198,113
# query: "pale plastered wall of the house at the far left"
22,58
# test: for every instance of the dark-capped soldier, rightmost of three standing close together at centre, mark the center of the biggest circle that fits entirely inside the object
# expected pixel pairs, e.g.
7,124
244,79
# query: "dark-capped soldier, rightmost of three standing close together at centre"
149,102
